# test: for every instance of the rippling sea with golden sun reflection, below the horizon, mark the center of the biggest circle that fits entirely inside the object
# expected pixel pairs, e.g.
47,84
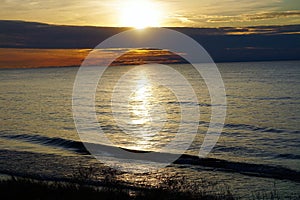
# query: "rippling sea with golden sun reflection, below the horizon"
262,126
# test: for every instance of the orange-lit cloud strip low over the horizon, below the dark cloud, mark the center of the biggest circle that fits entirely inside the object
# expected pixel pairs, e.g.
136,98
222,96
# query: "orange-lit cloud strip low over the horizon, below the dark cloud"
38,58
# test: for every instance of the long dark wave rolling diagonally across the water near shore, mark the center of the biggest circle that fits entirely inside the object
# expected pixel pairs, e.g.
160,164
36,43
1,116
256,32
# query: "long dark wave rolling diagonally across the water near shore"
259,170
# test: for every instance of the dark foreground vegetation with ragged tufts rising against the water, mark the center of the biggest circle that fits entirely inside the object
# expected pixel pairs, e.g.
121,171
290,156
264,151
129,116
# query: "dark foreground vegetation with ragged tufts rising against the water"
82,186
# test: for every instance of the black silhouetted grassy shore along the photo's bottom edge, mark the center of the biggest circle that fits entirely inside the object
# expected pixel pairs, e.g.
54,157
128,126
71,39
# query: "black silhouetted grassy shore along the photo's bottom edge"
169,188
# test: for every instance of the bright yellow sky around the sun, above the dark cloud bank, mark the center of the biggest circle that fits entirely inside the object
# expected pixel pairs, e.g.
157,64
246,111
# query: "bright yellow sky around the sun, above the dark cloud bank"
142,13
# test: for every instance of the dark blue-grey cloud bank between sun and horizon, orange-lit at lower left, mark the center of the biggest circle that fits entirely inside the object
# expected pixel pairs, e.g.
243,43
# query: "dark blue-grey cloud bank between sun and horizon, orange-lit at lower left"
253,43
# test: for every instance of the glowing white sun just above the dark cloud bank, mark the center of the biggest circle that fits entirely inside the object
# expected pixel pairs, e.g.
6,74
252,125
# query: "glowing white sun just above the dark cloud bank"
140,14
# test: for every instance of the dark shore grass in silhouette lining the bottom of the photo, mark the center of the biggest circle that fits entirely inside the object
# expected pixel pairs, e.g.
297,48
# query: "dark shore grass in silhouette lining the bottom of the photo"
27,188
